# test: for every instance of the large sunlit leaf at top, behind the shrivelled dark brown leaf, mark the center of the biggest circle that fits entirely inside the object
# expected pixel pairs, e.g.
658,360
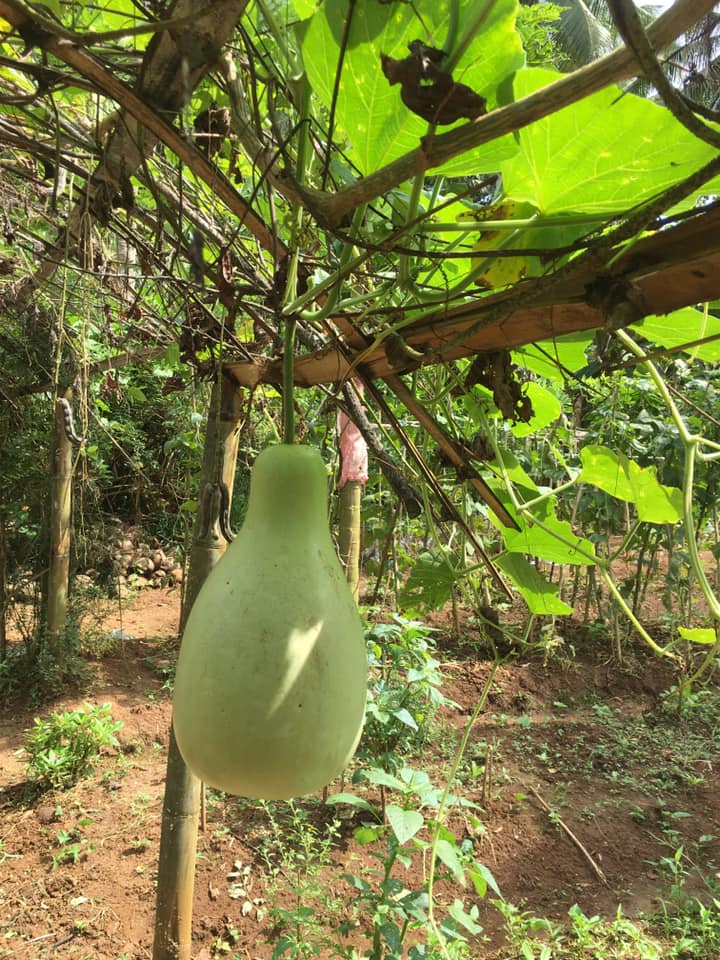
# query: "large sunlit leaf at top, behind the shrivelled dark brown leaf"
370,113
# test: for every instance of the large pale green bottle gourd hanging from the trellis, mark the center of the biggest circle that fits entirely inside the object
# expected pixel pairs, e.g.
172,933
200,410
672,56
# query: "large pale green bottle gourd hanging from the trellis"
271,679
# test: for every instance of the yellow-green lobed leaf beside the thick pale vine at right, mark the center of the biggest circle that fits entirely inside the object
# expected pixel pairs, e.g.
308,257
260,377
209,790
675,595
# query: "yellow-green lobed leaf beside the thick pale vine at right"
626,480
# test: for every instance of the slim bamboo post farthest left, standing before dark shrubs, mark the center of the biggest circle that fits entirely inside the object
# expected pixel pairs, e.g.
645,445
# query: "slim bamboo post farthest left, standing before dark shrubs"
60,520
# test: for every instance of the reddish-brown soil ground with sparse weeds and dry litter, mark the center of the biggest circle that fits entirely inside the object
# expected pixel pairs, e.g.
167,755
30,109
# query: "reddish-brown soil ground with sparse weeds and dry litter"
570,746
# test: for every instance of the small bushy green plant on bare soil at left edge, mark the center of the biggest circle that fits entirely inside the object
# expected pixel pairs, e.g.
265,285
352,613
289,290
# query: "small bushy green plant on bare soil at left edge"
64,748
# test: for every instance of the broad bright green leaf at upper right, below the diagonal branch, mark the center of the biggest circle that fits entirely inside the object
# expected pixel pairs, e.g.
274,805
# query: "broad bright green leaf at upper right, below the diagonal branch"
603,154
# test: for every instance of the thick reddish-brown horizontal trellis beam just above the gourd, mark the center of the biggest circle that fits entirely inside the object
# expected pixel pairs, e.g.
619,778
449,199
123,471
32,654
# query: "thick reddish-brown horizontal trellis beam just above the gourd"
674,268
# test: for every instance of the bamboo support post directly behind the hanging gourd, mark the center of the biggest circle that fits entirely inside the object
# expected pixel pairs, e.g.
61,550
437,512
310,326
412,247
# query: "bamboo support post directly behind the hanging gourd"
181,807
